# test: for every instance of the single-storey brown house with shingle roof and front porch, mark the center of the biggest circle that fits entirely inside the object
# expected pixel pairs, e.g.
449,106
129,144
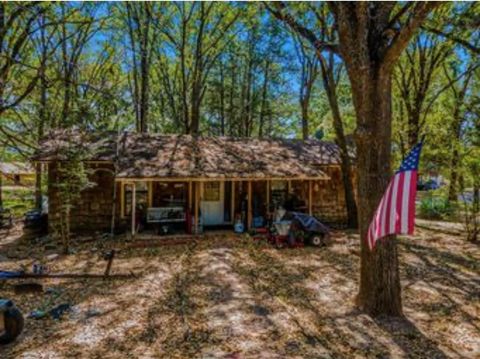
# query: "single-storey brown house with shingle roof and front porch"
192,181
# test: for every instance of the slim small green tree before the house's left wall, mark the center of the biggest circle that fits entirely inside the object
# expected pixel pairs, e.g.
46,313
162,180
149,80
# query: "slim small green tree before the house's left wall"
71,180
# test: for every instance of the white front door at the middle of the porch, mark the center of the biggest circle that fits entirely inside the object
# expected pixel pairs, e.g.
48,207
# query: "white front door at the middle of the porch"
212,203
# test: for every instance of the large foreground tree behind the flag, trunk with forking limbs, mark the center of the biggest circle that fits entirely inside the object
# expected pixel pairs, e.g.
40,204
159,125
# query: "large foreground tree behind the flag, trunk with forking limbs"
370,52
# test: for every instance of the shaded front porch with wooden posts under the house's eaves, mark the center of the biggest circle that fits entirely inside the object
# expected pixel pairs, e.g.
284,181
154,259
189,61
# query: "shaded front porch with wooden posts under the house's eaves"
189,206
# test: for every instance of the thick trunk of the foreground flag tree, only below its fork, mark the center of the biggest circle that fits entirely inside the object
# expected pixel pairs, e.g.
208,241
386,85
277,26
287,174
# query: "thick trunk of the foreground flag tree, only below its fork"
379,278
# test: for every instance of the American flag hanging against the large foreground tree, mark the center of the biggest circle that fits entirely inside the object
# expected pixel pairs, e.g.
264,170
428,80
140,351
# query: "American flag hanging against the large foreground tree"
396,212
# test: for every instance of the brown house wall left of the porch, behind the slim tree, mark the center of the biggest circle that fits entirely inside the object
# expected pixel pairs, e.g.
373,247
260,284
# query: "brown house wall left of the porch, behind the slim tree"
93,211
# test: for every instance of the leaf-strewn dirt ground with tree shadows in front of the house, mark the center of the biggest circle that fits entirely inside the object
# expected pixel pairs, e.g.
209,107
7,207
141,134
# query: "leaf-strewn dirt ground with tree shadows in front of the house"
232,298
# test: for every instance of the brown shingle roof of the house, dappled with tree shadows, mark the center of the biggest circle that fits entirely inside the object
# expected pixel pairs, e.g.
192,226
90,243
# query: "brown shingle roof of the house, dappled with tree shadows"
143,155
